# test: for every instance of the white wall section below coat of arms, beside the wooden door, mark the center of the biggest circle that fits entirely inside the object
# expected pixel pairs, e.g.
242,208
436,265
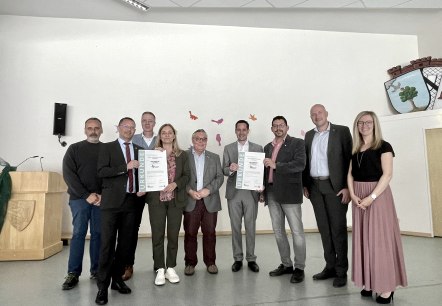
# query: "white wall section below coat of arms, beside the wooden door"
410,184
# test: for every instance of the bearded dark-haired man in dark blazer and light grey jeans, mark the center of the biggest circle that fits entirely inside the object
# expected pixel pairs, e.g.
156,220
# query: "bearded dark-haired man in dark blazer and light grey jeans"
284,163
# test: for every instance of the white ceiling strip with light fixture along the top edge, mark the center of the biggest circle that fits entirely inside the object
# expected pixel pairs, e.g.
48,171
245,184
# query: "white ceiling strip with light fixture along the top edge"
117,9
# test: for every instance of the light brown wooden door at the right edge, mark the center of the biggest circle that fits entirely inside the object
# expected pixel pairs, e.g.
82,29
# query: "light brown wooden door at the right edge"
434,155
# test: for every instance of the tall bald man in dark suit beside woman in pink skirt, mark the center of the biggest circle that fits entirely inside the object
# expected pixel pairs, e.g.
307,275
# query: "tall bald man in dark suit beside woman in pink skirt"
328,149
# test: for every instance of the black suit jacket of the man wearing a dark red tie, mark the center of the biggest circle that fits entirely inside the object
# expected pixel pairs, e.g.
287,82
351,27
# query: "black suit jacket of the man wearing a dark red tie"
112,168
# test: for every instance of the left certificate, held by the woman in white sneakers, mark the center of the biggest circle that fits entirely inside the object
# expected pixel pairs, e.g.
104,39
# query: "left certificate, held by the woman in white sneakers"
152,173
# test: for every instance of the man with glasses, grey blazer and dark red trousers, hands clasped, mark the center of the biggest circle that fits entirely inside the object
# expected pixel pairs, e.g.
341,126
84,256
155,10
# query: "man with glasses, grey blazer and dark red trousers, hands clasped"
206,177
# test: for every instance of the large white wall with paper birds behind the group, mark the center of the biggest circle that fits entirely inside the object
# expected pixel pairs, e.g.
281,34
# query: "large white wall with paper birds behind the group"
114,69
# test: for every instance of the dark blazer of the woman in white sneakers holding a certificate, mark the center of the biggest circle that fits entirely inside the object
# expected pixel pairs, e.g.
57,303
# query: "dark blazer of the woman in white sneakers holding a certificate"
182,176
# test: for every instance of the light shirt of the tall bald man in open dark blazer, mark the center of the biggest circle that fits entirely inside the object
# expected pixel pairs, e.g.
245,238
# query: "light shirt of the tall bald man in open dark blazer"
319,160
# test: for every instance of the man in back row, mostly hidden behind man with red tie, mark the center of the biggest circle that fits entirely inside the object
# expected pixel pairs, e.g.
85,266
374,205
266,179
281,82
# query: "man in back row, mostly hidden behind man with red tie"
145,140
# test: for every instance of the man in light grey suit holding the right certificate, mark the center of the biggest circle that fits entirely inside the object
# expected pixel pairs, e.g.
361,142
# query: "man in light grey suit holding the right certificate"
241,203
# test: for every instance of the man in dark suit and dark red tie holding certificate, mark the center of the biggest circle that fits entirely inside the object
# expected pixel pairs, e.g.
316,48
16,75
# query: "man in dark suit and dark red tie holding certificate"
117,166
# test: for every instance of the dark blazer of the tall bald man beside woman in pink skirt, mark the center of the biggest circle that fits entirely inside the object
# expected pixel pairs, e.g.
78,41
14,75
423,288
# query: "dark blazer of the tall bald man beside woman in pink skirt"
338,155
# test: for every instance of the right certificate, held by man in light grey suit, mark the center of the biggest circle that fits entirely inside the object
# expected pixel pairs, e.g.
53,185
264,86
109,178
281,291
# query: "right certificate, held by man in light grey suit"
250,170
